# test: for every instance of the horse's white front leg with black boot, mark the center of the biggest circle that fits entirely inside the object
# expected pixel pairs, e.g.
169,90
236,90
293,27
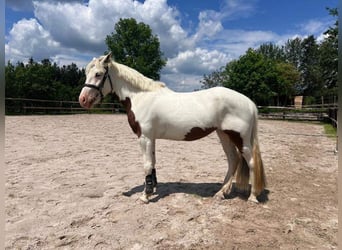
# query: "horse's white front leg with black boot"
148,147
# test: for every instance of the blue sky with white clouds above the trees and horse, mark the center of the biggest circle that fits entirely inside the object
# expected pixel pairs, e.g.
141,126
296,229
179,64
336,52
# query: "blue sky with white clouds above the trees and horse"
196,36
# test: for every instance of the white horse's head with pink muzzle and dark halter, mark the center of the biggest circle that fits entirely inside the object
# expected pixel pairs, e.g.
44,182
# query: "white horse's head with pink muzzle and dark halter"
98,83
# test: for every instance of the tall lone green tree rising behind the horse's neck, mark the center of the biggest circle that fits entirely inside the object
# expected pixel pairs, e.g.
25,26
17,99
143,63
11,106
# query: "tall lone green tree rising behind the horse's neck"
134,45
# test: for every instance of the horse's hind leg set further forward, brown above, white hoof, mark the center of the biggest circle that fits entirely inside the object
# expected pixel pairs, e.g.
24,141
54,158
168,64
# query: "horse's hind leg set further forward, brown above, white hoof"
233,158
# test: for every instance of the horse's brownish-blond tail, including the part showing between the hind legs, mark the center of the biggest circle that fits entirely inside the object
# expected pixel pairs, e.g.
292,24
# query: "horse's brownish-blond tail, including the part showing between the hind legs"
242,172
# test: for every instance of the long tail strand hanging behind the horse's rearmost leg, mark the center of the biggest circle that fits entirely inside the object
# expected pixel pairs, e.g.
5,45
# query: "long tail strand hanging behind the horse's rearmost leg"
259,172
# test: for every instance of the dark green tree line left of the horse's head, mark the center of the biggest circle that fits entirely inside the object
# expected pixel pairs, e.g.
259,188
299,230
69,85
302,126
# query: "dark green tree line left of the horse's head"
43,80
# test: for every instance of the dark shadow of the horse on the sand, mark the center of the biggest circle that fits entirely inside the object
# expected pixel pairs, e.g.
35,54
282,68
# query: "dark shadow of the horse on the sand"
165,189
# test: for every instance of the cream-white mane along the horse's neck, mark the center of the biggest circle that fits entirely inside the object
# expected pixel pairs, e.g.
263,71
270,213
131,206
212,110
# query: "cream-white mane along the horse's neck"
136,79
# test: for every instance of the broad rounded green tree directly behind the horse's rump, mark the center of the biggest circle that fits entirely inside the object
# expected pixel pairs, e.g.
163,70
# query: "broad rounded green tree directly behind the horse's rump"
266,80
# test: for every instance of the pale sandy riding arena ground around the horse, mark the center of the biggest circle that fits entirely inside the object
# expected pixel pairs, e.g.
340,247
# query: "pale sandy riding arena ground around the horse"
73,182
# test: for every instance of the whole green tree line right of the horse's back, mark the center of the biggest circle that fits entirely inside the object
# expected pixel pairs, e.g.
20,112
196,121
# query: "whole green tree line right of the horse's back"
273,74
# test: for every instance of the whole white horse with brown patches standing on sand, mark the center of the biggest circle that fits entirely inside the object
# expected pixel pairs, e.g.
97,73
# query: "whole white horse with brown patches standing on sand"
156,112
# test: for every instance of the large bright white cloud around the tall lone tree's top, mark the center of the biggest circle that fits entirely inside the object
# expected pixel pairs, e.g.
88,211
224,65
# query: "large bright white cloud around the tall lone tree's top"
85,27
